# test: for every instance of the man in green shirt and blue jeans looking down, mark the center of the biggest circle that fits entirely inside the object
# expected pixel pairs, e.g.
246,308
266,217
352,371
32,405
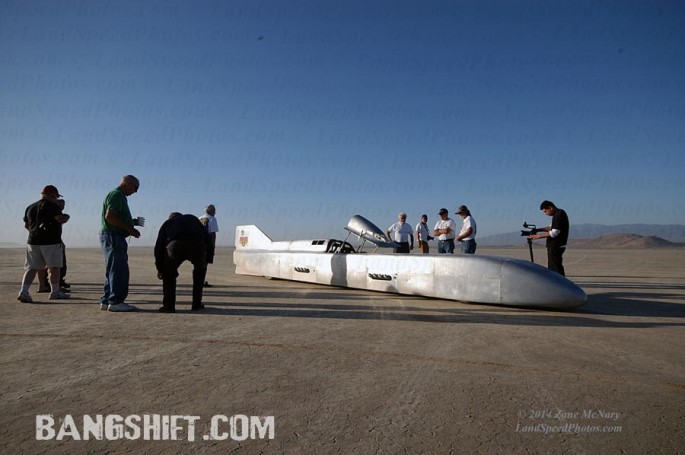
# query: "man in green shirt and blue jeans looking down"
116,225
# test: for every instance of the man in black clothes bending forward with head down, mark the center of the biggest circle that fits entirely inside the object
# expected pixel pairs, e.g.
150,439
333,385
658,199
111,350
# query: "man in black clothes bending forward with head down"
181,238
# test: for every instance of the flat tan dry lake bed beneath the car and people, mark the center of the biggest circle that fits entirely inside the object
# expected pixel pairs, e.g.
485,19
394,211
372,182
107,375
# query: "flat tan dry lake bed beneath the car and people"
348,371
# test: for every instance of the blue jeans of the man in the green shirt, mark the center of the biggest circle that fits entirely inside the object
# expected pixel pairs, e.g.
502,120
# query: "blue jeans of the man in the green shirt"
115,248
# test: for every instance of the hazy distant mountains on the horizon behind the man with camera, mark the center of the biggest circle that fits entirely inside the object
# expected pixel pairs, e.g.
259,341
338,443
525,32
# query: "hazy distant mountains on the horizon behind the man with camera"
656,234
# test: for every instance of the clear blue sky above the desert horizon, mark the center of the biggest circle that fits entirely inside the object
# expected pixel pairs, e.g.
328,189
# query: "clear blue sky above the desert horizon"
297,115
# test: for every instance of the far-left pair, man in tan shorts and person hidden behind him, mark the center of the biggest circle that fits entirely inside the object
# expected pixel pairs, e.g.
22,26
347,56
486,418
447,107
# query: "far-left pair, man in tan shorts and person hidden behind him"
43,219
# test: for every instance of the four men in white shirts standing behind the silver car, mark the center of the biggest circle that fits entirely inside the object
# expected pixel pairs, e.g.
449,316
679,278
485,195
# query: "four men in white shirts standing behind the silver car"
445,230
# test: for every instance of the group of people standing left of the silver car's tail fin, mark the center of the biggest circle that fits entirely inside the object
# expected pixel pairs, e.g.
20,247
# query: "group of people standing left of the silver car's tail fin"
180,238
